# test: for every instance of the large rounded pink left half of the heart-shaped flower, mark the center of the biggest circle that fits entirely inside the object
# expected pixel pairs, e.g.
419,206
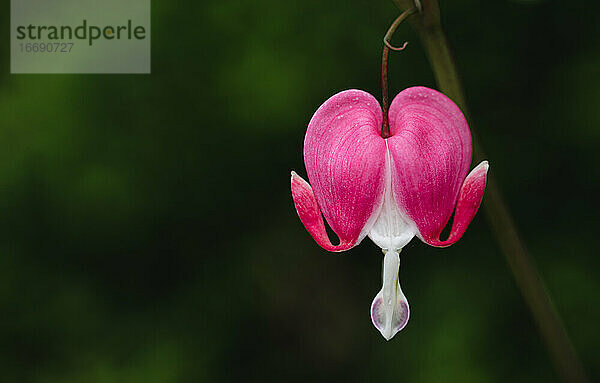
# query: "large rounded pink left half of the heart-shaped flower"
344,156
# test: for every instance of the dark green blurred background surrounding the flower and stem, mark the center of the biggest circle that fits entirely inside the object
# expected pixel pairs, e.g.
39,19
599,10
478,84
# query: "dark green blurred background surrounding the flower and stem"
147,232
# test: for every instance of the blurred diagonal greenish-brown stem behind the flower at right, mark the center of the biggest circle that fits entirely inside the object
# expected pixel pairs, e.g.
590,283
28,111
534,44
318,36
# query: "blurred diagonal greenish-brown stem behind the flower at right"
567,364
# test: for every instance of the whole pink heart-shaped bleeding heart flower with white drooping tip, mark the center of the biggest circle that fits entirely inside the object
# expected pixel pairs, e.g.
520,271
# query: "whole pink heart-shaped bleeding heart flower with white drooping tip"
389,189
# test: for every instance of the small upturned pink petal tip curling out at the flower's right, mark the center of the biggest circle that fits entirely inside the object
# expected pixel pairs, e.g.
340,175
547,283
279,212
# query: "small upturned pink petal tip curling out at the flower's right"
469,199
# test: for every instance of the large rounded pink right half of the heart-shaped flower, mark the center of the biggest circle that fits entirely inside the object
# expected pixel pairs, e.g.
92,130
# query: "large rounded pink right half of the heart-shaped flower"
430,148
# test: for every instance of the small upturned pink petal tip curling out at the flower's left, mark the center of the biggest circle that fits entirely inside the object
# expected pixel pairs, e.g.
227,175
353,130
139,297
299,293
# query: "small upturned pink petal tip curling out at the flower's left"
310,215
